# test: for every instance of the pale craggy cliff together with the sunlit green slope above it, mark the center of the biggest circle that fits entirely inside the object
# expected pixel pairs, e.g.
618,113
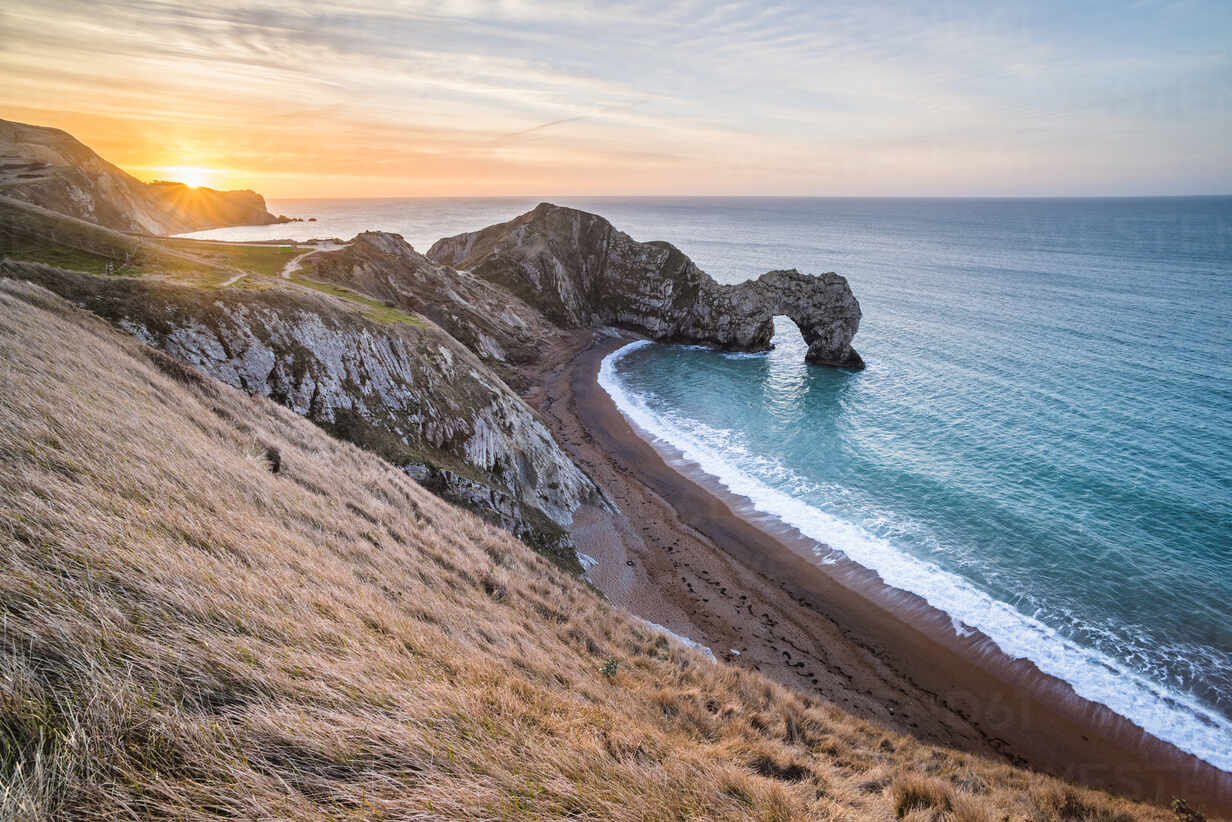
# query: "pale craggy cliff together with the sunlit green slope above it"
386,379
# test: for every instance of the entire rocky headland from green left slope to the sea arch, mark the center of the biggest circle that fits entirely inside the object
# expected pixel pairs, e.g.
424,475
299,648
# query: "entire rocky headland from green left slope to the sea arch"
429,360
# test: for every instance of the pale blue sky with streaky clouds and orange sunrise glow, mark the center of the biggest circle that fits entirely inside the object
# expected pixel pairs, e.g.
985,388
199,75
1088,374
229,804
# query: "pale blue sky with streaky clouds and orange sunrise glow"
465,98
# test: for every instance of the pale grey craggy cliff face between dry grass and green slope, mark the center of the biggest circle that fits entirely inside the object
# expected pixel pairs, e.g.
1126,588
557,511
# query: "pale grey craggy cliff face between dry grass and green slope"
405,390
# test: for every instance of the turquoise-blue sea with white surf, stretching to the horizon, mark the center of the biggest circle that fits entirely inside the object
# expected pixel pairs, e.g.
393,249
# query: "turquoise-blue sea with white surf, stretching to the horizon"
1042,443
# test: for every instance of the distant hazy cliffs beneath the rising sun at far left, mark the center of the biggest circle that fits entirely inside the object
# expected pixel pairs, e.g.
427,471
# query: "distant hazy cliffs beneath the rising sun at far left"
49,168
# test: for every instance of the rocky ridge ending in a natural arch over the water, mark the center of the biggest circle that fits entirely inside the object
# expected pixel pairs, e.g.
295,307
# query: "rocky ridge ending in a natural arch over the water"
578,271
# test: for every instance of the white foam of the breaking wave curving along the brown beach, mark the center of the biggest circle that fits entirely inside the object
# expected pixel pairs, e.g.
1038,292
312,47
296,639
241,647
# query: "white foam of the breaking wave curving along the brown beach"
1171,717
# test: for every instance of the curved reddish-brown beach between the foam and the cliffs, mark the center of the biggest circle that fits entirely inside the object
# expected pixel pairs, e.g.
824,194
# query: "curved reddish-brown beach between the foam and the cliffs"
703,563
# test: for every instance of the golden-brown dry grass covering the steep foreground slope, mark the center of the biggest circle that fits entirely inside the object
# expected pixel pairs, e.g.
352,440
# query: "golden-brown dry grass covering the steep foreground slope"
188,635
